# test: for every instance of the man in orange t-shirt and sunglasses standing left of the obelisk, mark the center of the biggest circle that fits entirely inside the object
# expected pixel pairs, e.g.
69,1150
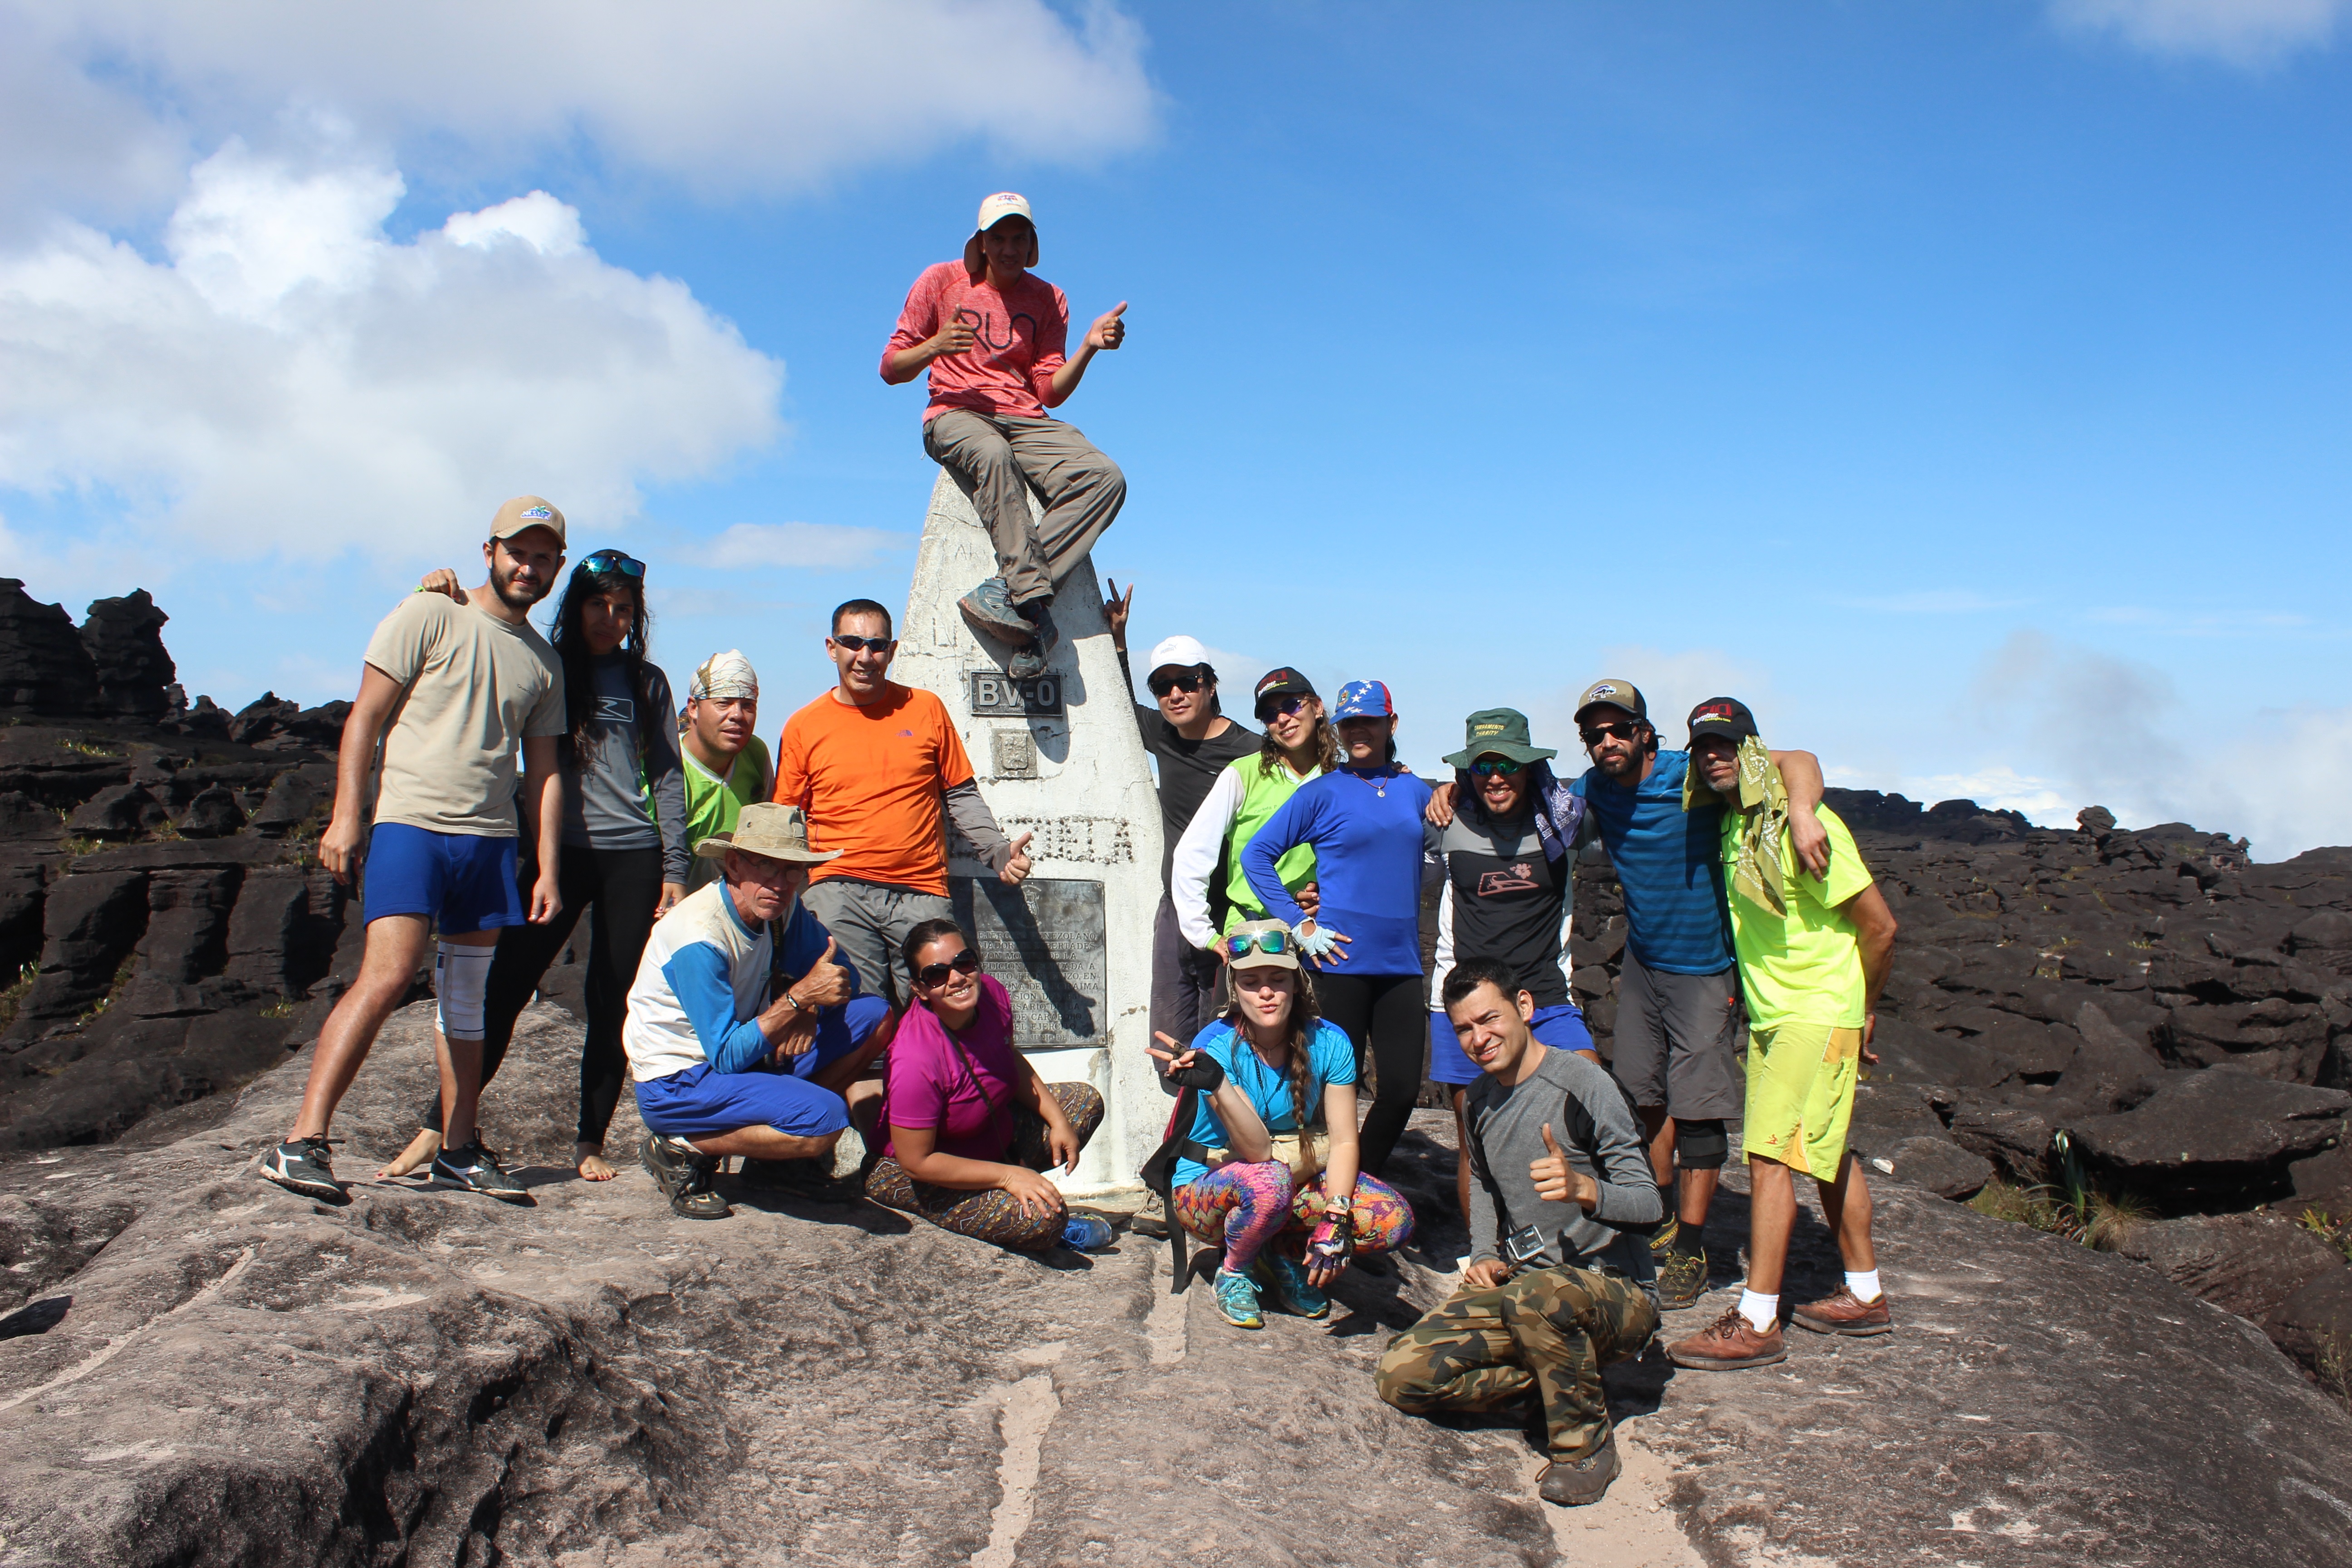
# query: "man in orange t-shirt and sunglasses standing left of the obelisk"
874,765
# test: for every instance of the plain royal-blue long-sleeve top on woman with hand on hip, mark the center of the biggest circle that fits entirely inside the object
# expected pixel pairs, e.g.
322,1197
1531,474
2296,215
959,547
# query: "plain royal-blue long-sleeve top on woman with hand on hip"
1368,866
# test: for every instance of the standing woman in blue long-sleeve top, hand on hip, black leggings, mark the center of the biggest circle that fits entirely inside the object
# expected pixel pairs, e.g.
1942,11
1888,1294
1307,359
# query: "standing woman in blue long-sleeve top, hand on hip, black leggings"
1365,939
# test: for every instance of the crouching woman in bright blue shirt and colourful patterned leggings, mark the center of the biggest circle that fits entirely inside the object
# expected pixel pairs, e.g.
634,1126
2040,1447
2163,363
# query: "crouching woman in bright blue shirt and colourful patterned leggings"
1285,1202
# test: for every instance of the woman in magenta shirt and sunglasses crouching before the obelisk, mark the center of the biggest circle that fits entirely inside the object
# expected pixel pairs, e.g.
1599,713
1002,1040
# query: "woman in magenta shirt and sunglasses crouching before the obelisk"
970,1125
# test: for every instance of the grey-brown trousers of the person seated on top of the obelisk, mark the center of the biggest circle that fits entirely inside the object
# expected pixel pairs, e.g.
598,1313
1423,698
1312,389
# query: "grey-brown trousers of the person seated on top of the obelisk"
996,460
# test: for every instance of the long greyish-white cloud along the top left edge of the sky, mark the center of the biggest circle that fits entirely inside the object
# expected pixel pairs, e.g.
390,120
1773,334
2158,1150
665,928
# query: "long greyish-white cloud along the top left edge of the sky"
723,95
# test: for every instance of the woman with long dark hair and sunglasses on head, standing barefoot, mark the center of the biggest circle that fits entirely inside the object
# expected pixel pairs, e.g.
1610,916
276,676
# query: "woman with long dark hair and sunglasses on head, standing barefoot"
624,852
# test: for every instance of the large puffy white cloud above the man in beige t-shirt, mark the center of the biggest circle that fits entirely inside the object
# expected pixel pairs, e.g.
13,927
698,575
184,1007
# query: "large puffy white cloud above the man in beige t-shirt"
290,380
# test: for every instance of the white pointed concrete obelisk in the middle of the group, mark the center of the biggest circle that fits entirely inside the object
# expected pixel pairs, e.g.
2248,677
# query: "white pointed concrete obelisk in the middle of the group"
1057,758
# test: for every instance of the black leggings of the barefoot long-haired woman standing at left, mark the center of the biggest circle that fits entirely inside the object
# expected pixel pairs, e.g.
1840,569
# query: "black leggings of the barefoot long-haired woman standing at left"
624,885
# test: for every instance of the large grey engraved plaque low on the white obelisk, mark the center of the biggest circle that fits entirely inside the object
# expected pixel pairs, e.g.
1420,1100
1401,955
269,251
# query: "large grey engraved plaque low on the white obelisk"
1045,942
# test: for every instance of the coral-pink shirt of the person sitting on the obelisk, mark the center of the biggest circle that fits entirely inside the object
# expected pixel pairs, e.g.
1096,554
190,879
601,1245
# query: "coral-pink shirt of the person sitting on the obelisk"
1022,340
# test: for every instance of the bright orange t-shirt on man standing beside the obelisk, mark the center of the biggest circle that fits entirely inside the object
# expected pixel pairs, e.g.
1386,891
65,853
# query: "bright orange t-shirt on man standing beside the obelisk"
871,784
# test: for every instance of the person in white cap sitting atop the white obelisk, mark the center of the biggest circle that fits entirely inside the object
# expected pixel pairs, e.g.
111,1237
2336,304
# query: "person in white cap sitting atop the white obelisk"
996,342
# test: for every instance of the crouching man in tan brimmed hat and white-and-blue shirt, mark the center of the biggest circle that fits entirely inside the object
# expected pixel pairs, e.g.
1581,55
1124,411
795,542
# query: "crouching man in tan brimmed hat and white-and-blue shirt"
721,1066
